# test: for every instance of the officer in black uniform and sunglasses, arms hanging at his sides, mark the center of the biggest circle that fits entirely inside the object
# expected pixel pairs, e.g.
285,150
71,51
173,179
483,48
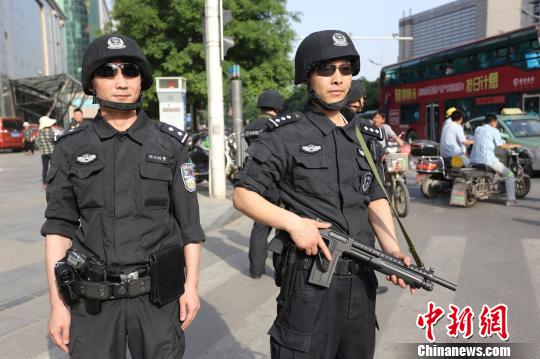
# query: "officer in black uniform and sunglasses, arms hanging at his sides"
121,191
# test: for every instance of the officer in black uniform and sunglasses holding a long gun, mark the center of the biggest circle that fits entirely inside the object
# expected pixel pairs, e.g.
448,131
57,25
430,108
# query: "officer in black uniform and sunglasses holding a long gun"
315,160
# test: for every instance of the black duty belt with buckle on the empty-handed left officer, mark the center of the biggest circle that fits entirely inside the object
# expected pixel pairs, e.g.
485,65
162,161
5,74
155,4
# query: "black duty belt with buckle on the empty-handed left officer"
118,286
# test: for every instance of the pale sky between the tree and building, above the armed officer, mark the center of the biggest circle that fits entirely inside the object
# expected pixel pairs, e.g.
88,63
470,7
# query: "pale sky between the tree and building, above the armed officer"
361,18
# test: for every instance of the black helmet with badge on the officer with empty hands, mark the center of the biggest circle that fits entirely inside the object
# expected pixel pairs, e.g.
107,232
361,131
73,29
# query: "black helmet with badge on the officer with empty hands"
112,47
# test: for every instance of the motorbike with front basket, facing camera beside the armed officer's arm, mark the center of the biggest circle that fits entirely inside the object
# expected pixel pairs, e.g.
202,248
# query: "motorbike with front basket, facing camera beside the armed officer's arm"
396,162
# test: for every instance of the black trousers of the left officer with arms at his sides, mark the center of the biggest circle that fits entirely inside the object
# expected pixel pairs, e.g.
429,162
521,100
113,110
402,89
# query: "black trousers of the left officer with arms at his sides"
147,330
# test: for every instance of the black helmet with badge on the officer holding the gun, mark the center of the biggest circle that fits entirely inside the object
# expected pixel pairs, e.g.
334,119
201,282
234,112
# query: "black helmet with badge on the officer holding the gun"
323,46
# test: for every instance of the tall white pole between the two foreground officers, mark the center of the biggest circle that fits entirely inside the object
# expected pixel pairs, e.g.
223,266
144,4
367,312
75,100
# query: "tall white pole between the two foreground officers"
212,10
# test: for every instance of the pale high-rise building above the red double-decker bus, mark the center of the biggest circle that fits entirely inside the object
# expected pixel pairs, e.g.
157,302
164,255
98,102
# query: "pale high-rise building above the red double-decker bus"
462,21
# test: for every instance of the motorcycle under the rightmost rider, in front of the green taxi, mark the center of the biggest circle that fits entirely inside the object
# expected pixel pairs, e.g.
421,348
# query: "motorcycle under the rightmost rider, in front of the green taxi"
480,182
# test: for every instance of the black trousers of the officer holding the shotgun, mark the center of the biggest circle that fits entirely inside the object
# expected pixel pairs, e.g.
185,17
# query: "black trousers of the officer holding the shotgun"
327,323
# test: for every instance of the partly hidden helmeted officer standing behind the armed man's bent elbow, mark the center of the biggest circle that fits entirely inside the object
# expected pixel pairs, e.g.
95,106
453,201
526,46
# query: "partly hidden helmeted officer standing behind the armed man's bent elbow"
270,103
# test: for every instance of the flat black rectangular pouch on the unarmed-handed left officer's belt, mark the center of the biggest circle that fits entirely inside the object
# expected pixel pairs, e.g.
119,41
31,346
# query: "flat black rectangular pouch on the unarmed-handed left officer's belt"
167,274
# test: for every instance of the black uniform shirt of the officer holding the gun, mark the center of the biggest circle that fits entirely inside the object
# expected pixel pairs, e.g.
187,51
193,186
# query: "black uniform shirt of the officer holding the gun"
319,168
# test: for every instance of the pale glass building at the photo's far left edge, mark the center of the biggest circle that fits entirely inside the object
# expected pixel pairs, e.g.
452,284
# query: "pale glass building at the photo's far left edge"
32,43
